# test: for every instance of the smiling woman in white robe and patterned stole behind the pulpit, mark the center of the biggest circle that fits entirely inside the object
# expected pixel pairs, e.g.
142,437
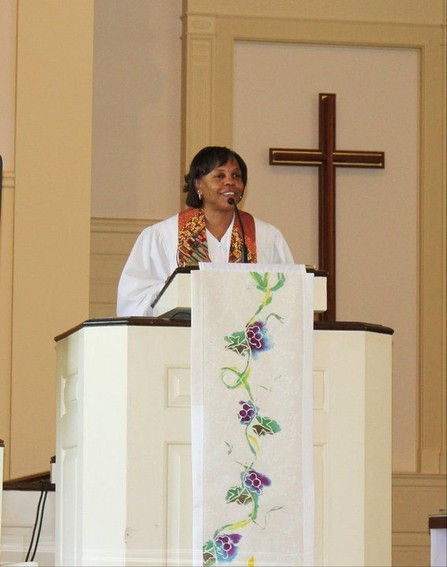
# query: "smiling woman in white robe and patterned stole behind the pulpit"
207,231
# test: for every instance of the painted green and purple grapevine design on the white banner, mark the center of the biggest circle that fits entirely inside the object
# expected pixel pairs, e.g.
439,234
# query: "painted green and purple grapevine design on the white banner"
249,345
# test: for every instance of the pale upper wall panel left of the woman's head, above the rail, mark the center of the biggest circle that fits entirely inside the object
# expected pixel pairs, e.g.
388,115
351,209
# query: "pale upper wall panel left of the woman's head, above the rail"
136,108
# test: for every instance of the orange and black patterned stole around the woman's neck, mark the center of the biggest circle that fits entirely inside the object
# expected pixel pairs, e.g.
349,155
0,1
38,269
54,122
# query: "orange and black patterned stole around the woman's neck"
192,243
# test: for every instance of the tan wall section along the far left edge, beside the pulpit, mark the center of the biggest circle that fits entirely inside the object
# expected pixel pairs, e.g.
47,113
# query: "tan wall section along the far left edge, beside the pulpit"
46,220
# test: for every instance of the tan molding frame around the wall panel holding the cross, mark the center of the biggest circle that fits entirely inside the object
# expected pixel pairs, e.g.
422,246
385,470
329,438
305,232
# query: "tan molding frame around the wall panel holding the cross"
428,40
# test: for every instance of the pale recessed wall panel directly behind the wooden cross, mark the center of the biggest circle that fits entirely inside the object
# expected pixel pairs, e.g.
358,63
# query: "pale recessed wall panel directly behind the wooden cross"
369,240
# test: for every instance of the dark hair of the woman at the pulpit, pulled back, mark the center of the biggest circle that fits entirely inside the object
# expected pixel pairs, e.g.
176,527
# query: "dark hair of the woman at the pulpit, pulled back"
205,161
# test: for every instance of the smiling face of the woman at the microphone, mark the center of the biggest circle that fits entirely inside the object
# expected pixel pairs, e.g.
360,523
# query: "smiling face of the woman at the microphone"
219,185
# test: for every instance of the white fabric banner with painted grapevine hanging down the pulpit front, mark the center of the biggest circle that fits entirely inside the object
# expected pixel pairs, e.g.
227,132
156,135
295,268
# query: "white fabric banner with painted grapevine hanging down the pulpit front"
251,369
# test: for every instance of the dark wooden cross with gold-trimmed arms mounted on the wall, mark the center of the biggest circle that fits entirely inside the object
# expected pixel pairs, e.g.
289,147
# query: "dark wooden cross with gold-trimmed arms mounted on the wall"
327,159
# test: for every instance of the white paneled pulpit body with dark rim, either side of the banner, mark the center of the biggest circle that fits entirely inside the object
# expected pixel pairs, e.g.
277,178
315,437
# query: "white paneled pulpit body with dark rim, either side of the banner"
123,461
